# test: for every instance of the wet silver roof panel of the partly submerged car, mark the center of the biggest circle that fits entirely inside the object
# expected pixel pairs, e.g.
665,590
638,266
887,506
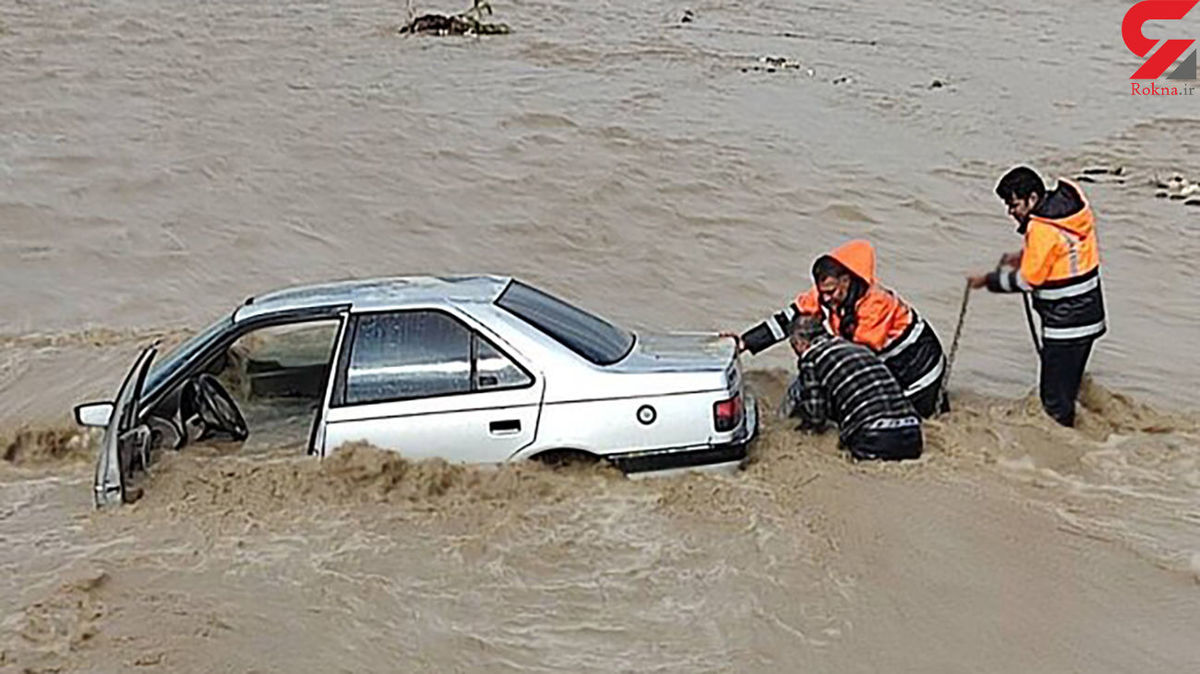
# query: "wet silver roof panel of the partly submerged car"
369,294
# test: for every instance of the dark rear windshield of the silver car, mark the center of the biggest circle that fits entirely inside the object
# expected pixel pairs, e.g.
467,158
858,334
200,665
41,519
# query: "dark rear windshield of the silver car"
592,338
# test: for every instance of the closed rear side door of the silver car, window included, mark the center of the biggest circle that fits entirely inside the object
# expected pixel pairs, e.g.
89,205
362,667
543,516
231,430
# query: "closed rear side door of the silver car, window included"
425,384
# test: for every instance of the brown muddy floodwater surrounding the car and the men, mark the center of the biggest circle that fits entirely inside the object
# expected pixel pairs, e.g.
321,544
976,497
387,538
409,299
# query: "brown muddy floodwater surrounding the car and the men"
160,161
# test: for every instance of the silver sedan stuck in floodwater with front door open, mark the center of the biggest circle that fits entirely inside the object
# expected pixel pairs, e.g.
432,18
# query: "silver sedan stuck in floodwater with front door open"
472,369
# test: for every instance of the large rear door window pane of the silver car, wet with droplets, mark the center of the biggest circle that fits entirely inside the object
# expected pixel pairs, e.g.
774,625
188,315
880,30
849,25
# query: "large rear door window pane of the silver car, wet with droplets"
409,356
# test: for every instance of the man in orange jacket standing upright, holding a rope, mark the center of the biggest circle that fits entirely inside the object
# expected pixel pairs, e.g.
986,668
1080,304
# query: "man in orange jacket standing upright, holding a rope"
1060,266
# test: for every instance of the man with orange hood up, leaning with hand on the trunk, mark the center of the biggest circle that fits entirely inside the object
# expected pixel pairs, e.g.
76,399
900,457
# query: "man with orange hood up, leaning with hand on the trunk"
856,306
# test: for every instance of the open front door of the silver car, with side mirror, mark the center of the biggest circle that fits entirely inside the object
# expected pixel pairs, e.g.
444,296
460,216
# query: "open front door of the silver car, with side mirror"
127,446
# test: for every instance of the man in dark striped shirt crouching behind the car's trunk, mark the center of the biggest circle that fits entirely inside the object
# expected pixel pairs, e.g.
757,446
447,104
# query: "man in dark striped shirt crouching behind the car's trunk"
847,384
